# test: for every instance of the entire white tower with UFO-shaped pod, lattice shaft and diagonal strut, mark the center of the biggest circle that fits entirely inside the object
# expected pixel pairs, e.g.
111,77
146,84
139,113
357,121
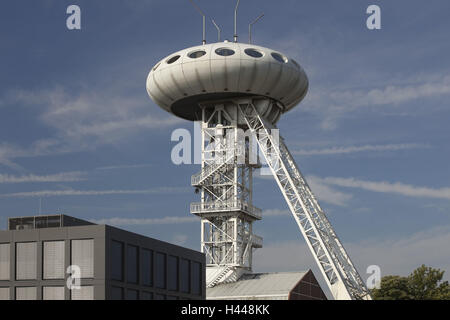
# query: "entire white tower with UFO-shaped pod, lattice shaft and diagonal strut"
237,92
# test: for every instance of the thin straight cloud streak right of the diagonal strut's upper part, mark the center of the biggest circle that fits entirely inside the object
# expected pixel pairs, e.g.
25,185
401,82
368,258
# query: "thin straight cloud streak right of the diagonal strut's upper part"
358,149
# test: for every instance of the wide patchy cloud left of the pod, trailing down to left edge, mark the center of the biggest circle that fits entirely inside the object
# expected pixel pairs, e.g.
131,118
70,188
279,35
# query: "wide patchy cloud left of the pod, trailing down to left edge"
84,121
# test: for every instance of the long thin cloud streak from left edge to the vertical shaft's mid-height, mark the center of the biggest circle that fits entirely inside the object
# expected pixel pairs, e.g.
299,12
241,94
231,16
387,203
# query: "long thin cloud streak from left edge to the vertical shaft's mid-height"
65,193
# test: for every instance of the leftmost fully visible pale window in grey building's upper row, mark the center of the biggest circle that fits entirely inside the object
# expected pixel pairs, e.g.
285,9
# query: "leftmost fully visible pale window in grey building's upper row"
26,254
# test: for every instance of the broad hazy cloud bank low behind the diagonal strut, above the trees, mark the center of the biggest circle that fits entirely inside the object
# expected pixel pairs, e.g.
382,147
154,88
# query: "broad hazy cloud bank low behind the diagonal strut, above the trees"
398,256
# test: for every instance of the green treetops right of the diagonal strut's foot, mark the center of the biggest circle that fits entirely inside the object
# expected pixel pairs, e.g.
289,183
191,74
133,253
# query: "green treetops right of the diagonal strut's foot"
424,283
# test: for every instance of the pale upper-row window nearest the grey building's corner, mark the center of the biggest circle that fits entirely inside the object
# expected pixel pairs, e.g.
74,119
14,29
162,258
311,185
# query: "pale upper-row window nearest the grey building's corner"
83,256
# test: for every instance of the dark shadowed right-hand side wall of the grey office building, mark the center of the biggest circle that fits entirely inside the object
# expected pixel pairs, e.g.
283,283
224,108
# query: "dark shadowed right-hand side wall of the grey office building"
163,278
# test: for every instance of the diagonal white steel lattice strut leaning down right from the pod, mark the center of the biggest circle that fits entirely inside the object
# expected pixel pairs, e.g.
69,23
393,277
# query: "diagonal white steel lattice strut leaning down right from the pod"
331,257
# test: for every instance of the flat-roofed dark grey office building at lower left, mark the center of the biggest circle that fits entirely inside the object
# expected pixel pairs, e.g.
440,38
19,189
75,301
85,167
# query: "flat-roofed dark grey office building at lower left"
35,253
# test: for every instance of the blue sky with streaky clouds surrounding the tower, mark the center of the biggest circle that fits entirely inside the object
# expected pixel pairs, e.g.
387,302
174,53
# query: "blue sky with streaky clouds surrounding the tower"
79,134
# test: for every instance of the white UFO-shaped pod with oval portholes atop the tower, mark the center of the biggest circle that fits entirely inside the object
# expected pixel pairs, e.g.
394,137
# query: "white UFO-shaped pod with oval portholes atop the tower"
225,71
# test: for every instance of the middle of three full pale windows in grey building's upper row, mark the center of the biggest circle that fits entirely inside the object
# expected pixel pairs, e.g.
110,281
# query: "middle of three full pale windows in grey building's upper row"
54,260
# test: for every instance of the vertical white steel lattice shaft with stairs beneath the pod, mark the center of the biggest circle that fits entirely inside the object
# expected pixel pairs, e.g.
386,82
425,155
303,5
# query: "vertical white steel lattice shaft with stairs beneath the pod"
226,209
